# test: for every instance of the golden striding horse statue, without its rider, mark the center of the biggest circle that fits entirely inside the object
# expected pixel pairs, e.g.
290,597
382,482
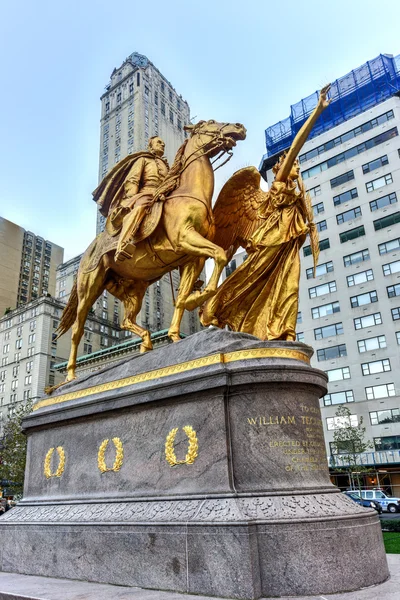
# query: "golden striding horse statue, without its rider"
182,239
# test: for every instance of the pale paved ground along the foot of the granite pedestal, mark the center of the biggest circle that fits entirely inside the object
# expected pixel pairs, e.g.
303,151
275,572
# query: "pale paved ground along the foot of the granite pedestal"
27,587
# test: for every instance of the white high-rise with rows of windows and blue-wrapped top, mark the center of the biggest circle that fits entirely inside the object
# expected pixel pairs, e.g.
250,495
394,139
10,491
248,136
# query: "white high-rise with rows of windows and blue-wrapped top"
350,313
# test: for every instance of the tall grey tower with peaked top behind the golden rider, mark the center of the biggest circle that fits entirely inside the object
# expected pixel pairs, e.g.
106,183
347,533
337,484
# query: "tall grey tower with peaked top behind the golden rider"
138,103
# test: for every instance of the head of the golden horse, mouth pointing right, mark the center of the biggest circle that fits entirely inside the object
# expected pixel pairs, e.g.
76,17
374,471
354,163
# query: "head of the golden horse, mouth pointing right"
216,136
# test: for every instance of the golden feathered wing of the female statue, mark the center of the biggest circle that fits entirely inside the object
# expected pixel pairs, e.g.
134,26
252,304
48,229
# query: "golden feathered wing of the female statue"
239,209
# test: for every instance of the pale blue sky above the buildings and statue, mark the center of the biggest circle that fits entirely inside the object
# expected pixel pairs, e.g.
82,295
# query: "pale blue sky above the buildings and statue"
232,61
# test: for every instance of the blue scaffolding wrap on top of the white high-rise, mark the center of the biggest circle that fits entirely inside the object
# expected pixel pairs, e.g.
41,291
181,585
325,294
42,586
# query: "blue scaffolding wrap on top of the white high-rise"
364,87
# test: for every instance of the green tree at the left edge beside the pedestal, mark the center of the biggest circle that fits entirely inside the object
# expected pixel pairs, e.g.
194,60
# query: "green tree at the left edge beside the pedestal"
13,450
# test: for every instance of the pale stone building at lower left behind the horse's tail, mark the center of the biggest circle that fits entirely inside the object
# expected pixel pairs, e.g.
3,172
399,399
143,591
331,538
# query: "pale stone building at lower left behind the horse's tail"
29,350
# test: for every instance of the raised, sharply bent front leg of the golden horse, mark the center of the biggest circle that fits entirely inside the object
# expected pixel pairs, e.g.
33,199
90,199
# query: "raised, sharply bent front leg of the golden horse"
194,243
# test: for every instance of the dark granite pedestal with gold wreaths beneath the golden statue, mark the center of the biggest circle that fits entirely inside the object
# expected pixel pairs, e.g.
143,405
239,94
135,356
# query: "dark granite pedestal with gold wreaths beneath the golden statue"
197,468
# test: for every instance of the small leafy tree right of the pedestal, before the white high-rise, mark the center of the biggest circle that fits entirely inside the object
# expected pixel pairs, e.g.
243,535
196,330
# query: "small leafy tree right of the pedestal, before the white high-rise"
349,442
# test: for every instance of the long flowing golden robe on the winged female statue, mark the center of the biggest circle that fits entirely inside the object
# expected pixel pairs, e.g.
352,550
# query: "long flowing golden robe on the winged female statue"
261,296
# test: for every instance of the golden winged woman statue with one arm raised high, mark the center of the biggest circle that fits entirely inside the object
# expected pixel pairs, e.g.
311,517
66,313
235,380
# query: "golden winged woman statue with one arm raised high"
261,296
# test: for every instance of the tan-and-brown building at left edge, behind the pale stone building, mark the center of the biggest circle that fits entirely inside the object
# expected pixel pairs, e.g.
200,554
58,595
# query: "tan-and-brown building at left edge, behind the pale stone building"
27,266
